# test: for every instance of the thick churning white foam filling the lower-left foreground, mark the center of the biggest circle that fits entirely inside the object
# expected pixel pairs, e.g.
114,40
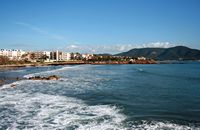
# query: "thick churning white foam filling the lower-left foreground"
42,111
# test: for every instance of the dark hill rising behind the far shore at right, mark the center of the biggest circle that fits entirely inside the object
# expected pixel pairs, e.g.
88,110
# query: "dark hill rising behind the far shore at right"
173,53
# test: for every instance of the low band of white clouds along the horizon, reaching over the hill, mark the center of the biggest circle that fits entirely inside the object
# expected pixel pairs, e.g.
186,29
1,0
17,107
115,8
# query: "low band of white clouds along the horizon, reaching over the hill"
113,48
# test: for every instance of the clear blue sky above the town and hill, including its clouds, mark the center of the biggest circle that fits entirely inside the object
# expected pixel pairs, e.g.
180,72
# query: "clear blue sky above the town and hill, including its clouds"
99,26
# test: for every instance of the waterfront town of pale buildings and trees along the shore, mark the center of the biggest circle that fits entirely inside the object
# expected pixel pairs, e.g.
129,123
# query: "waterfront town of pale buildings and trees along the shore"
15,56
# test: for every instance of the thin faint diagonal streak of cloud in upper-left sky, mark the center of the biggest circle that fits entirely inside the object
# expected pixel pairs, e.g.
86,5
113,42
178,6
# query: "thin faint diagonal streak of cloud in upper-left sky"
40,30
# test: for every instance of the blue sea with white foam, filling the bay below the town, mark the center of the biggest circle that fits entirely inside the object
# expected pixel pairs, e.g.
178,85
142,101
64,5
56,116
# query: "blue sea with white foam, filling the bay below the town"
103,97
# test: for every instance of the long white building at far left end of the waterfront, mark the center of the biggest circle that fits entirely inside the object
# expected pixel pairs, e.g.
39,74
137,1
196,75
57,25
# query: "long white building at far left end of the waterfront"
12,54
